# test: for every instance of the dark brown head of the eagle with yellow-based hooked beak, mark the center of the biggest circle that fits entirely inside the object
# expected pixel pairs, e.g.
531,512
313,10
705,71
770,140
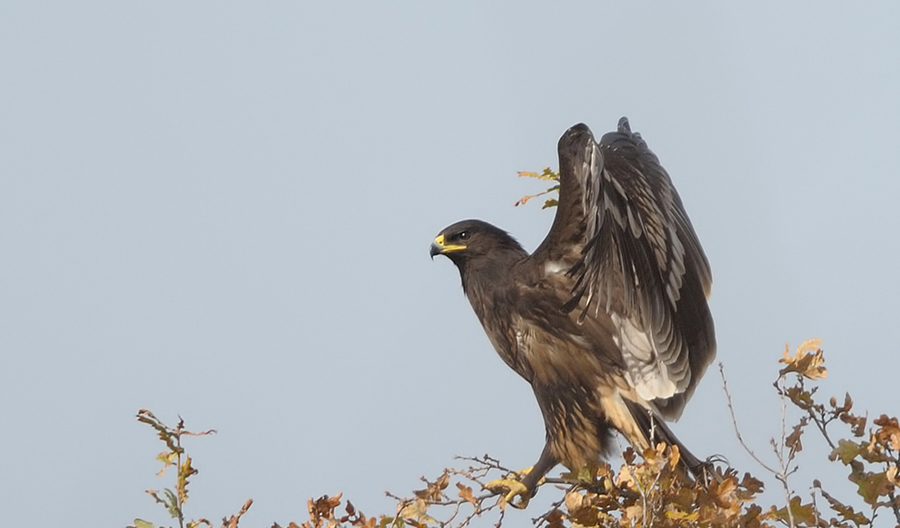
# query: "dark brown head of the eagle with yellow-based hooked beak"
468,240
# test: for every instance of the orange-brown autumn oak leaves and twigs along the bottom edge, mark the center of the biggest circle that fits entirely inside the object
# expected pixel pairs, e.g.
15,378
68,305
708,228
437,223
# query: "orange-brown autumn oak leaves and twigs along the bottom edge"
646,490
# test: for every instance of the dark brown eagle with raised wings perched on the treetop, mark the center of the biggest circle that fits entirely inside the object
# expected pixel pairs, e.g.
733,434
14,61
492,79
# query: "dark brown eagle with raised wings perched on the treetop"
608,318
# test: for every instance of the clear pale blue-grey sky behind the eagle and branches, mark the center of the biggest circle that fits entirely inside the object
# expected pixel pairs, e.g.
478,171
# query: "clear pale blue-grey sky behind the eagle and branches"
223,210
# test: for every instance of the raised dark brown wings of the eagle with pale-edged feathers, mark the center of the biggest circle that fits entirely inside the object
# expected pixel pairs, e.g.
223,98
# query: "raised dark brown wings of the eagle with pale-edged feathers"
624,247
